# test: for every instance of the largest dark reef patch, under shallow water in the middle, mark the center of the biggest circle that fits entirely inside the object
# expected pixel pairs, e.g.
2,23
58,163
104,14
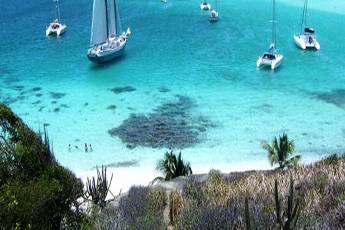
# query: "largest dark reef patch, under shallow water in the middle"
170,125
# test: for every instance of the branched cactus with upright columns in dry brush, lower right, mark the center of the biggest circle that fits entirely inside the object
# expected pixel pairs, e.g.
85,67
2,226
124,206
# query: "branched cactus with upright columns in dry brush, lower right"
287,220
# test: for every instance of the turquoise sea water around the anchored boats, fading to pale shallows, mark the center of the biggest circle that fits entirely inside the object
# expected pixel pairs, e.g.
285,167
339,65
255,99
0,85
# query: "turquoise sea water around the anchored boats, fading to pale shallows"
229,106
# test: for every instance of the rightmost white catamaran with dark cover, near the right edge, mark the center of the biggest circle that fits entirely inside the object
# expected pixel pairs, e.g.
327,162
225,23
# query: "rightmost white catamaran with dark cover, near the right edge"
307,38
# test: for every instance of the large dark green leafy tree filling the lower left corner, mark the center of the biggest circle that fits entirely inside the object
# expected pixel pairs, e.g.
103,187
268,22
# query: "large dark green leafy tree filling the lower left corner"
35,191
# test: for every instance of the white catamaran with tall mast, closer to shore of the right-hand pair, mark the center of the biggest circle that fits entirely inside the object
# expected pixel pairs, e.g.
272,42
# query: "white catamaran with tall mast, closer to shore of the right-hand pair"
271,58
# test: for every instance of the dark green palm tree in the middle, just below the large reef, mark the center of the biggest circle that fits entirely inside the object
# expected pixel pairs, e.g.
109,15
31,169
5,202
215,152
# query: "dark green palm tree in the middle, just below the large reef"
172,166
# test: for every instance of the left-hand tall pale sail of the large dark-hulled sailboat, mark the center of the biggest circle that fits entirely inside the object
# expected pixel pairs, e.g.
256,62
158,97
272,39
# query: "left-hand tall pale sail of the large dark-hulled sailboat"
99,33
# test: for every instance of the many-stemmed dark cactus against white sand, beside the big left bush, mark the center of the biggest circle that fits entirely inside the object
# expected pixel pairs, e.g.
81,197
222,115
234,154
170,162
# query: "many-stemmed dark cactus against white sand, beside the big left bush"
98,188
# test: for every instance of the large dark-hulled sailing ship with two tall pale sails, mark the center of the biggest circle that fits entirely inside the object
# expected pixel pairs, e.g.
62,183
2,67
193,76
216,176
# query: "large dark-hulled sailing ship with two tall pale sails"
108,41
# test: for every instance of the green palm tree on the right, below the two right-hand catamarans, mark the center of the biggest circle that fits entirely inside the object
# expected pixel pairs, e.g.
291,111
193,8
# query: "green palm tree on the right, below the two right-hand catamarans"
279,151
